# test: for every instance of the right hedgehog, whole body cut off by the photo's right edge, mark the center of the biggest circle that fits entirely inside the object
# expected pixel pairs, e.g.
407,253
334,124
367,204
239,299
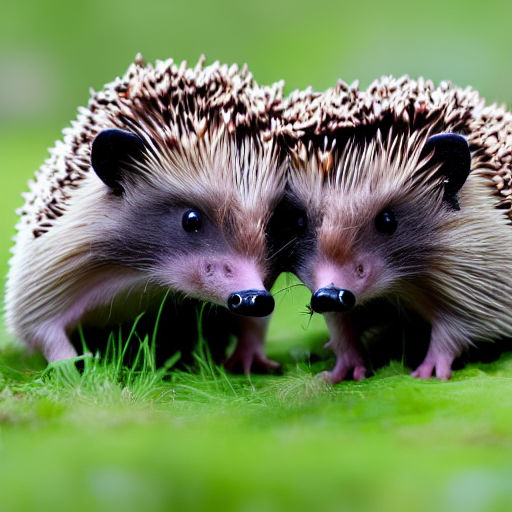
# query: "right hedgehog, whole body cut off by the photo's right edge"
402,193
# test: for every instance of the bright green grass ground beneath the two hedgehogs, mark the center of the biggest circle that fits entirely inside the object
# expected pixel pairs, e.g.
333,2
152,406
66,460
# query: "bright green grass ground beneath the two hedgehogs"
132,438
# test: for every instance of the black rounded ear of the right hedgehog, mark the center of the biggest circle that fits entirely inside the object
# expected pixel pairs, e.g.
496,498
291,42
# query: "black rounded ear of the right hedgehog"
452,152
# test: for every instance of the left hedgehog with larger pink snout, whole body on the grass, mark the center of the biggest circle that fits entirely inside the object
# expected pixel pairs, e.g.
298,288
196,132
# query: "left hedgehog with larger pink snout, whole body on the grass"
163,184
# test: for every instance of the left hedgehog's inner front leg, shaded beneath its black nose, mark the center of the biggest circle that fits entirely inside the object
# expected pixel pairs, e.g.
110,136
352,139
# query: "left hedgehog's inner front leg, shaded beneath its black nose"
249,354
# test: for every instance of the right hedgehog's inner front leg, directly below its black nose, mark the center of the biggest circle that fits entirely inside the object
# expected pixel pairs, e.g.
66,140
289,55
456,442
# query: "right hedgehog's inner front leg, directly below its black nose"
345,343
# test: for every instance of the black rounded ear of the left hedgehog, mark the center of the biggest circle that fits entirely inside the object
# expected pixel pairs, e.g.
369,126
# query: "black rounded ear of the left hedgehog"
111,153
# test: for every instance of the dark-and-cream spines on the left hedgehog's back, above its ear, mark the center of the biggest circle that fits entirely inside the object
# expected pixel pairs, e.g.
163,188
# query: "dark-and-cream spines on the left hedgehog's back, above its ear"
171,103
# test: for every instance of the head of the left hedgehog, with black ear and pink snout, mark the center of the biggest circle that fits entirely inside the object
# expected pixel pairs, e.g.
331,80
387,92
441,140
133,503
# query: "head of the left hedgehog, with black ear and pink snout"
191,215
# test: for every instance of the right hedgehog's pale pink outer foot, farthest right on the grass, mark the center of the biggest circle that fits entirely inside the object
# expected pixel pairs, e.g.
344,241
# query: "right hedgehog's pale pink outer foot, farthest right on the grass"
440,355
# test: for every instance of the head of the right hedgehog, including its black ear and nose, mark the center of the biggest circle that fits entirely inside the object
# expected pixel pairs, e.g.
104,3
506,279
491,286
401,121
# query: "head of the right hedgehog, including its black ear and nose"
376,212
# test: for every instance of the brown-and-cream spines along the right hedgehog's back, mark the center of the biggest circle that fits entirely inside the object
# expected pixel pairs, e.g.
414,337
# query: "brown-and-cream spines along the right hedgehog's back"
409,106
